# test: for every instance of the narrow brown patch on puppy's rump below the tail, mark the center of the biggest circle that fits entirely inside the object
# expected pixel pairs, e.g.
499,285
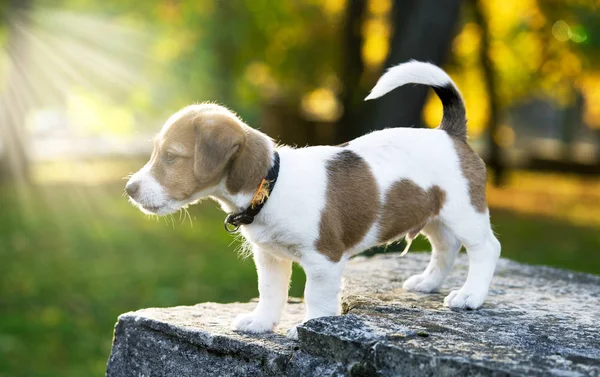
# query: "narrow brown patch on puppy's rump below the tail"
473,168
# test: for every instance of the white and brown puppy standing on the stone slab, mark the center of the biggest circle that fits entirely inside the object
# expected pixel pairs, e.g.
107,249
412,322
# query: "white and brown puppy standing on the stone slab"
332,202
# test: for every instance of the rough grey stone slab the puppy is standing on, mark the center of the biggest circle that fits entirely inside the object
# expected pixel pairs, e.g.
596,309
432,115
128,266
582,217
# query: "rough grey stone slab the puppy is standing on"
537,321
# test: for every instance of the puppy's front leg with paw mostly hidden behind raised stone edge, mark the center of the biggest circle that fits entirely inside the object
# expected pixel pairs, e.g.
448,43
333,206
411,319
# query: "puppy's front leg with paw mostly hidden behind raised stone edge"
323,287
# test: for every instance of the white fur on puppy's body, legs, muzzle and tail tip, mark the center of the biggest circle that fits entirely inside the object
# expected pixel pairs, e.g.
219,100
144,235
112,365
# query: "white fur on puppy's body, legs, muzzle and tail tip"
287,227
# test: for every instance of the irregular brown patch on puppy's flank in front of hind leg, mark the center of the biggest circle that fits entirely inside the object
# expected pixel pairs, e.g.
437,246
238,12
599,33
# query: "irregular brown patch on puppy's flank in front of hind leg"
407,209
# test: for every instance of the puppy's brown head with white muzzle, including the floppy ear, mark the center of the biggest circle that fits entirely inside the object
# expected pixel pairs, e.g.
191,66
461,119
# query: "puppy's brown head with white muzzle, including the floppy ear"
191,156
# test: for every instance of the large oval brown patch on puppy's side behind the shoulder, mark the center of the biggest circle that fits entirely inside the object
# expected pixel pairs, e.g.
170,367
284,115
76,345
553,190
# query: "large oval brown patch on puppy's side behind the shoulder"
352,204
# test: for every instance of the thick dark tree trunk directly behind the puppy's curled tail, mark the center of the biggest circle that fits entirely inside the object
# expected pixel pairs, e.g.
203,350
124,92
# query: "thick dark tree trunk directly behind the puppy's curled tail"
424,30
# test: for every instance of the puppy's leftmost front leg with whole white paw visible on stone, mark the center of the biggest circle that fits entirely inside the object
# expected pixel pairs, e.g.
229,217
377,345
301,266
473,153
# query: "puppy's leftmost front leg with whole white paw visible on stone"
273,283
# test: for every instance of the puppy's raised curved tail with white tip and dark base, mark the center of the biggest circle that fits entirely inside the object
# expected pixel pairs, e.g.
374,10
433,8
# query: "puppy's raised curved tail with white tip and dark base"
454,121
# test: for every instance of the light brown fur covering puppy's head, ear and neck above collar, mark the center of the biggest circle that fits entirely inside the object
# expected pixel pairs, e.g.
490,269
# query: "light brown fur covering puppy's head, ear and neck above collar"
211,143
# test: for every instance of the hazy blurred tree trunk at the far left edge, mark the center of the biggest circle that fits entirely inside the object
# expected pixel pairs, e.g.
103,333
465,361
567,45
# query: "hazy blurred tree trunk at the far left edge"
14,104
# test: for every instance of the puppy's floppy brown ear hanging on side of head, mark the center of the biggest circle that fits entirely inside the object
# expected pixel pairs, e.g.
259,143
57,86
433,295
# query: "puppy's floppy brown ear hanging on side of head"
218,139
